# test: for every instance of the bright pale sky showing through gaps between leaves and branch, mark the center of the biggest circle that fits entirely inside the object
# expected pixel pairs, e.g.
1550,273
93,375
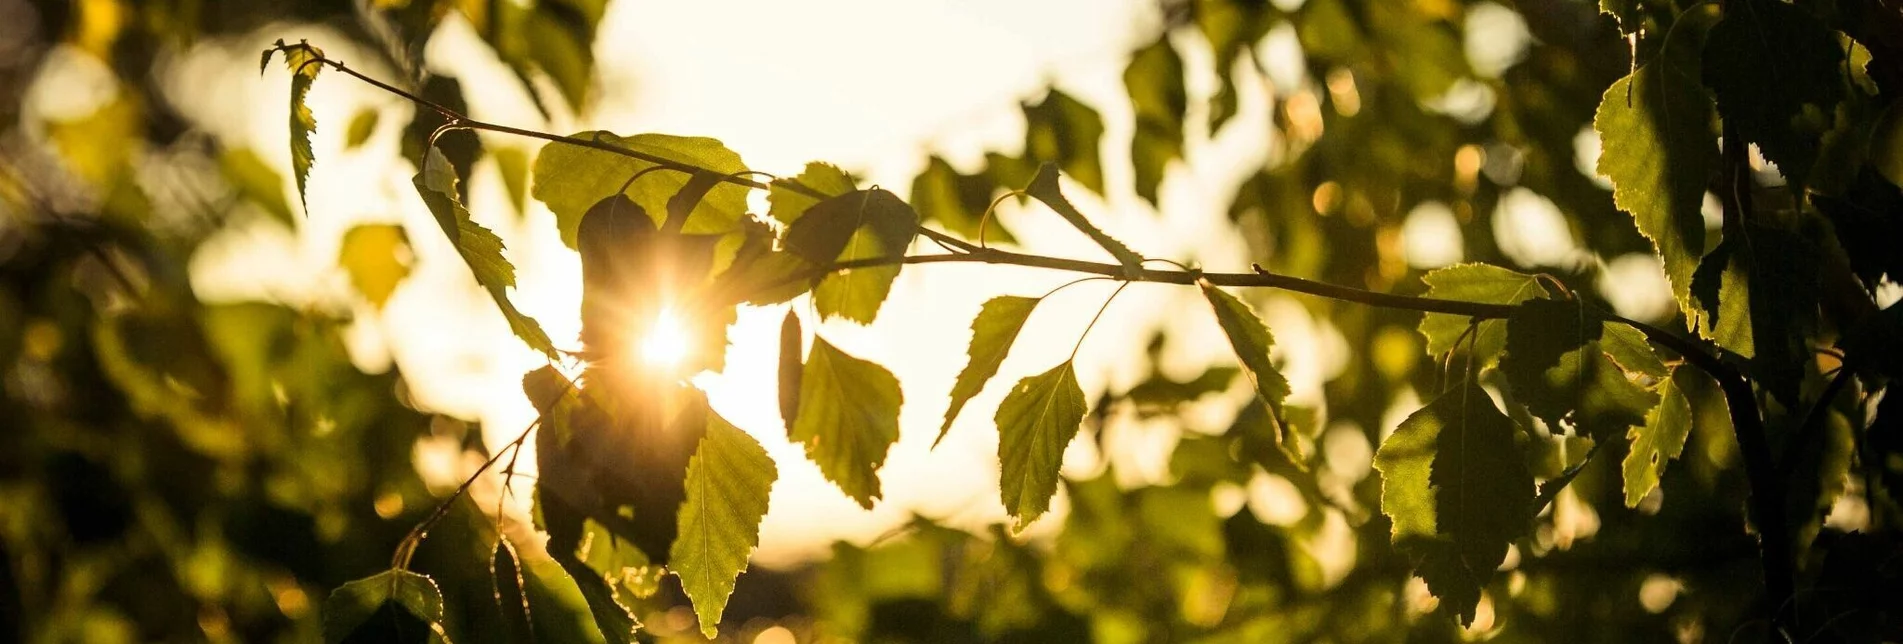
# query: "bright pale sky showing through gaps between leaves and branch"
873,87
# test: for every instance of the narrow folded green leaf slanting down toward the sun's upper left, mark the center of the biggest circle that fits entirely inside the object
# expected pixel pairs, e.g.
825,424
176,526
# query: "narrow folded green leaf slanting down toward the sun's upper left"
479,247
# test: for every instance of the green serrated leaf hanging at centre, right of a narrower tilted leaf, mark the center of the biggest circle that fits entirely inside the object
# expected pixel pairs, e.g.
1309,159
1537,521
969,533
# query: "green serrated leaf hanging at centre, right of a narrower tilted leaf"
1036,422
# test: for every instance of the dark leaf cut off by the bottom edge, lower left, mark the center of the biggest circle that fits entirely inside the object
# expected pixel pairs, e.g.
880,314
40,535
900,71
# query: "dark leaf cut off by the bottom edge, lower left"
389,607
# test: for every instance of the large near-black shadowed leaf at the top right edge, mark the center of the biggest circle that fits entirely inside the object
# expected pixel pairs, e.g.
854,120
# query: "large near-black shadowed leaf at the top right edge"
1778,75
